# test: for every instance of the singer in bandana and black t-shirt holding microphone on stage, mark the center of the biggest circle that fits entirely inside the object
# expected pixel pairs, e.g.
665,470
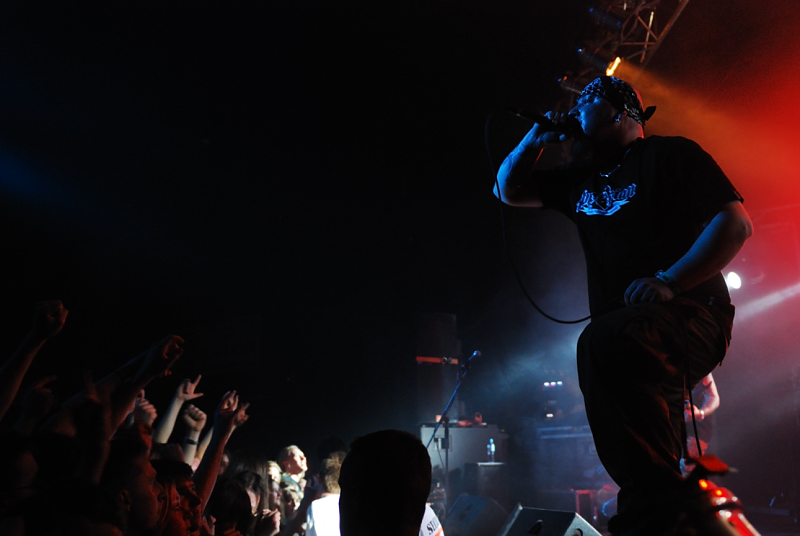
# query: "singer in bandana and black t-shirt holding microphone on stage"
658,220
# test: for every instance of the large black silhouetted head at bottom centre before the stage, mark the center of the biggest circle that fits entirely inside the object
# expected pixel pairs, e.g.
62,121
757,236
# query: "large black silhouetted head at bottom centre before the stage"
394,503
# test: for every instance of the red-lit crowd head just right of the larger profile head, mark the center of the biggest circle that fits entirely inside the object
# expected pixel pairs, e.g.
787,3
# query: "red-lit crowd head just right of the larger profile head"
183,514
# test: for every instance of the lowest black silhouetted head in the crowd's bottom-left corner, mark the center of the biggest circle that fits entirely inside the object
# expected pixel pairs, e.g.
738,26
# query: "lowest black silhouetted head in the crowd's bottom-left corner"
75,507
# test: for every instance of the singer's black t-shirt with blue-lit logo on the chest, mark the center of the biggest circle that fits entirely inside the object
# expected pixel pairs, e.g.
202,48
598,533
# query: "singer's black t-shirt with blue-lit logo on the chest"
641,217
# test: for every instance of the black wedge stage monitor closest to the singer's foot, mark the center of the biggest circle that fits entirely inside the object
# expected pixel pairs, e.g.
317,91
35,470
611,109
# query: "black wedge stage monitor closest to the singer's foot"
524,521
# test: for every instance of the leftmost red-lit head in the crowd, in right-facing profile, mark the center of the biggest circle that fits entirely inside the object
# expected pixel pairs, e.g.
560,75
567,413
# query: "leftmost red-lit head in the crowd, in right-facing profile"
131,479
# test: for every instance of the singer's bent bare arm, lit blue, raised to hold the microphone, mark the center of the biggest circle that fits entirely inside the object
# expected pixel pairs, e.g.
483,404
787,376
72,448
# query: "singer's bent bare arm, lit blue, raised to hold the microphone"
516,185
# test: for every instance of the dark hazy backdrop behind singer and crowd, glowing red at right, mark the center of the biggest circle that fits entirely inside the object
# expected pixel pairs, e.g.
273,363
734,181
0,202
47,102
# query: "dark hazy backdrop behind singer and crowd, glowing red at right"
291,185
